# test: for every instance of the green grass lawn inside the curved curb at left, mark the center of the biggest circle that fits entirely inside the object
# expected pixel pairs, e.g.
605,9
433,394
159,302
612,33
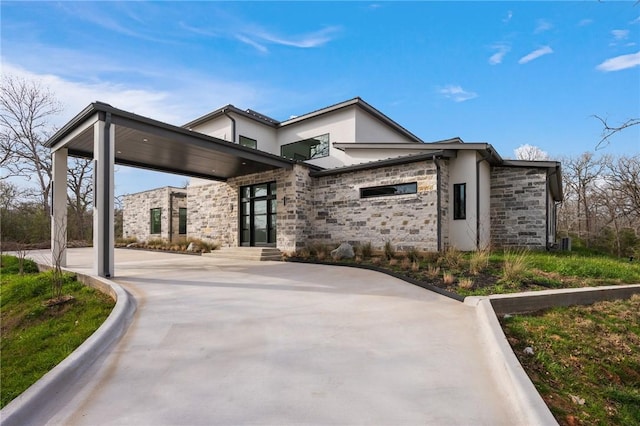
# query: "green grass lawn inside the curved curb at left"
37,337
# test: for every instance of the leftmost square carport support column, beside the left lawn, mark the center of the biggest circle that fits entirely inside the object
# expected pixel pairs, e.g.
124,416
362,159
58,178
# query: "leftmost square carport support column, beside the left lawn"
59,208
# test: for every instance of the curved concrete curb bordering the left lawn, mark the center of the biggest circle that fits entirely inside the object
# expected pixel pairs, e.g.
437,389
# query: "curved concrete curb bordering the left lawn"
41,394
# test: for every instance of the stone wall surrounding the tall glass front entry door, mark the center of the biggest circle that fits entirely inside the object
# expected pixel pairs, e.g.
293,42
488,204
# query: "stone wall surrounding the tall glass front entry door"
213,208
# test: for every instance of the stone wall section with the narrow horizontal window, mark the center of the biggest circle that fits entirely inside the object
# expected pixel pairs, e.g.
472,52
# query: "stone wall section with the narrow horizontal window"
340,215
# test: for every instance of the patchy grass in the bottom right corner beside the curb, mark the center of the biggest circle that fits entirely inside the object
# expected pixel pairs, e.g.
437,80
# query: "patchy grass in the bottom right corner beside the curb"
584,354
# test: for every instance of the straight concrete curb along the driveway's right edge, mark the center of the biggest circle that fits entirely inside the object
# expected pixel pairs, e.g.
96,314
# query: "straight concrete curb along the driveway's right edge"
523,396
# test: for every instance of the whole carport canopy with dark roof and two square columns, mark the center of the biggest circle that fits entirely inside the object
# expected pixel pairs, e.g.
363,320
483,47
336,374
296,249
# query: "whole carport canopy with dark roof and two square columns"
112,136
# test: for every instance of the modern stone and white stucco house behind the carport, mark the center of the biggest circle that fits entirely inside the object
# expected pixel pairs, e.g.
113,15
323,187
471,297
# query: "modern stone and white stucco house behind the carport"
352,174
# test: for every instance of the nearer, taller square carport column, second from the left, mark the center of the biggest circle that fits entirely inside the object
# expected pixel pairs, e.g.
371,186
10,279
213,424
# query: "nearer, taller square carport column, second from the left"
103,190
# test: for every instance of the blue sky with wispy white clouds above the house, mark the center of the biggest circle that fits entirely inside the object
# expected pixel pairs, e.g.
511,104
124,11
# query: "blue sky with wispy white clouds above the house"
506,73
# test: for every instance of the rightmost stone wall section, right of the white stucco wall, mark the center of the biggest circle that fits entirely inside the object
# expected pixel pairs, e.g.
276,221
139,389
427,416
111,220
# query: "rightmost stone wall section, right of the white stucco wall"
518,207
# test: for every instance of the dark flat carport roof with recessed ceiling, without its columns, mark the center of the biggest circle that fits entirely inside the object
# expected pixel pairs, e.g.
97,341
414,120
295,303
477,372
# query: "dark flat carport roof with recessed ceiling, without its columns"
150,144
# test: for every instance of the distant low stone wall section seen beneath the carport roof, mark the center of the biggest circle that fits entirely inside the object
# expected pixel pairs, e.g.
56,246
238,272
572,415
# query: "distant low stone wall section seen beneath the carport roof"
137,213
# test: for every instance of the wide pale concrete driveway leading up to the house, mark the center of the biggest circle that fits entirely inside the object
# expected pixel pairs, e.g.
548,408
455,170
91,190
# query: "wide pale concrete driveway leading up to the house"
272,343
